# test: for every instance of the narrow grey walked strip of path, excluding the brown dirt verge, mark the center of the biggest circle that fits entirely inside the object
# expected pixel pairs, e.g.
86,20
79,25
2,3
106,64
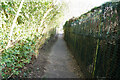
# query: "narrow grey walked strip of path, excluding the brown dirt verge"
60,60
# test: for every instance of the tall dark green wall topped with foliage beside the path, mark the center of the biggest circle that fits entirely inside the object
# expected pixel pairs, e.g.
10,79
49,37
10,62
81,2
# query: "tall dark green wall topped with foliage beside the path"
94,39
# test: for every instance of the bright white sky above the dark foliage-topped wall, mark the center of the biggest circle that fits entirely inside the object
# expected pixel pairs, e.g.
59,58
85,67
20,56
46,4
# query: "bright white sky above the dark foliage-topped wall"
78,7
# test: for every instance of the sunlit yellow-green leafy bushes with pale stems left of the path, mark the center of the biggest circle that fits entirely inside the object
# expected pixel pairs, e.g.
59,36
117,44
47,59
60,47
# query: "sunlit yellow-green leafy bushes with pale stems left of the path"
24,27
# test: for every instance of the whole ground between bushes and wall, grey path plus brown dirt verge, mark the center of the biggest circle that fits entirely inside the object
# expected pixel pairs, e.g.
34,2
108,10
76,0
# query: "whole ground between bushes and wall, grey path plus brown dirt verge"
54,61
